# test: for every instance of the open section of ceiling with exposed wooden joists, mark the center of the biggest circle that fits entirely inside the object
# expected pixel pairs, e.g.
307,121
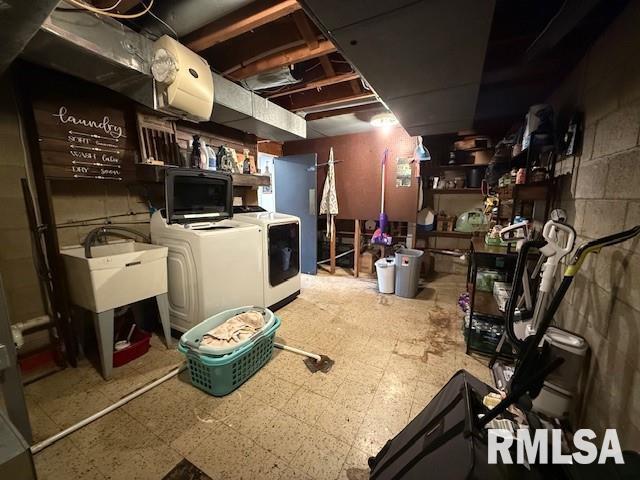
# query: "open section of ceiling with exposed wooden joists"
253,42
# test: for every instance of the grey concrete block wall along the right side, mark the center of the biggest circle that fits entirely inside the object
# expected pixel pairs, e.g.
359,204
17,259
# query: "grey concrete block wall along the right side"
601,192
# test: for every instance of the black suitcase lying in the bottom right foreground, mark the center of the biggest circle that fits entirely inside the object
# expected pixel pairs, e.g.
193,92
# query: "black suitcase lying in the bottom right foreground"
443,442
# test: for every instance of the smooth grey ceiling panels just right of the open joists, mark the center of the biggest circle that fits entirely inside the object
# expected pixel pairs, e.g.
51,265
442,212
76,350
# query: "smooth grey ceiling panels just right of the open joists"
427,71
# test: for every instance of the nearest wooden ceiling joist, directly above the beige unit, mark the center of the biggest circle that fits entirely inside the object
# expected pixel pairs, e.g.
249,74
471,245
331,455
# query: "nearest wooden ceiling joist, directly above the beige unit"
236,23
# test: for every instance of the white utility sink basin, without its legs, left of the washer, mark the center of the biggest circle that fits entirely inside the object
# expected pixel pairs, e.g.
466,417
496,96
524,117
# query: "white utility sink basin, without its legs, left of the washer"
119,273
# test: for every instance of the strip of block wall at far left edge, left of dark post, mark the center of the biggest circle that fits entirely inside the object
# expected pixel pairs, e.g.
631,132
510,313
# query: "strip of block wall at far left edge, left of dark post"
21,284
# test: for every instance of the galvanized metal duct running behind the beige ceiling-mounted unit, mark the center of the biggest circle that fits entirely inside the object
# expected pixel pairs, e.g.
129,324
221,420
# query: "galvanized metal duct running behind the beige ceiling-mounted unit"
105,52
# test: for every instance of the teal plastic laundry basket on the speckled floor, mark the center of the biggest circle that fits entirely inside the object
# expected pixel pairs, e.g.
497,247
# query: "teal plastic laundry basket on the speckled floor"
220,371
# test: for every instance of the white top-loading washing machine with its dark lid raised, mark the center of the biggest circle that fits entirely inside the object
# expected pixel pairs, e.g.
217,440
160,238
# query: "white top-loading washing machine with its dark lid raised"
214,263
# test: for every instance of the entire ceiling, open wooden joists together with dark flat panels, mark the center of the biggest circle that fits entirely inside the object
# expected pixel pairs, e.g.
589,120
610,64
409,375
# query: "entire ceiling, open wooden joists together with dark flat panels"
441,66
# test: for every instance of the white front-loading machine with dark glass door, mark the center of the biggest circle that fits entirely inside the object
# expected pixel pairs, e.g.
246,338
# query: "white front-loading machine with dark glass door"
281,253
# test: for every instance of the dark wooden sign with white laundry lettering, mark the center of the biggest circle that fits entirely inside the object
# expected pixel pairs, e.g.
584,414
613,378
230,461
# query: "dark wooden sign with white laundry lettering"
85,132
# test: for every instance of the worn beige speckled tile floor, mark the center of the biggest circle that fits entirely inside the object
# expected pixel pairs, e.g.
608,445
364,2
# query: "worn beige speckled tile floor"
391,356
